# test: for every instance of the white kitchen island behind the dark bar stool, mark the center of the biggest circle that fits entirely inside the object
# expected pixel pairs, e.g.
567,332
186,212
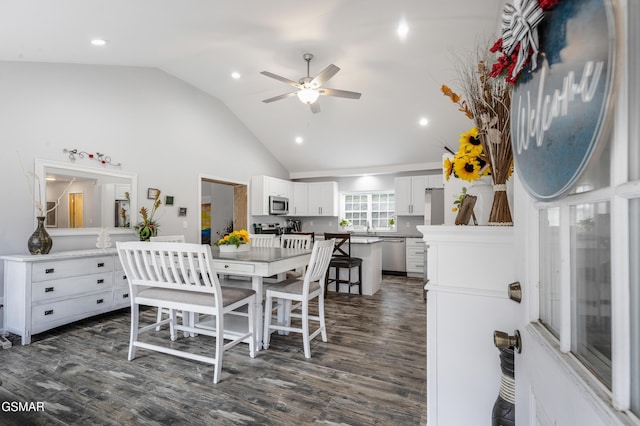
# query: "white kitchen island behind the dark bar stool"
369,249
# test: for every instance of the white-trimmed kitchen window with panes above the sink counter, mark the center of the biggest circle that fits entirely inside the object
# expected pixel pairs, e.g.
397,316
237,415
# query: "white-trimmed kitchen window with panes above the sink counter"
368,210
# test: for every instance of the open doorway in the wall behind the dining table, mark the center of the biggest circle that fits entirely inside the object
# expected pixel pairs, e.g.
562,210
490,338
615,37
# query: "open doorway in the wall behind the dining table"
223,208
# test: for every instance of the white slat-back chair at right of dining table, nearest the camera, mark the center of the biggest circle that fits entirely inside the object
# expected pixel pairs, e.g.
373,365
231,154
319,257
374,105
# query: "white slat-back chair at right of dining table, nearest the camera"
299,293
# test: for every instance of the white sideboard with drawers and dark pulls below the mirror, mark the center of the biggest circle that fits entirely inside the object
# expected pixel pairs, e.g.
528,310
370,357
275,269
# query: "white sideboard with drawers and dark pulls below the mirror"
47,291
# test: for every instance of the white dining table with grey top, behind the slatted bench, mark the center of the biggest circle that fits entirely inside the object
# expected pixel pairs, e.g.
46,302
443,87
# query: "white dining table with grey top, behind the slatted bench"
257,263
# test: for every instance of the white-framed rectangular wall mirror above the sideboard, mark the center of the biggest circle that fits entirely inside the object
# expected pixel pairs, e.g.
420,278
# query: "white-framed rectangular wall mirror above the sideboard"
89,198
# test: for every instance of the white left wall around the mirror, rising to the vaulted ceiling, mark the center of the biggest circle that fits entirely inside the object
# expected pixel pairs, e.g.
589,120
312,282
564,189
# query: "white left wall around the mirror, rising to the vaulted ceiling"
157,126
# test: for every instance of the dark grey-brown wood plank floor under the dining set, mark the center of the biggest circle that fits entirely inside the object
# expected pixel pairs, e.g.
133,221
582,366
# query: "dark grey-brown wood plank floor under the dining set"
370,372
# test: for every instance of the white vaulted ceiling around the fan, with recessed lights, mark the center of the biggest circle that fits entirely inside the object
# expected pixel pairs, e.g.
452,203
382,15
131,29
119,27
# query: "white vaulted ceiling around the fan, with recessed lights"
203,42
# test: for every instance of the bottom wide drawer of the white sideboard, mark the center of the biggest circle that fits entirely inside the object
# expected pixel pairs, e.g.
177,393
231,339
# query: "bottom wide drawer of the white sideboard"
56,311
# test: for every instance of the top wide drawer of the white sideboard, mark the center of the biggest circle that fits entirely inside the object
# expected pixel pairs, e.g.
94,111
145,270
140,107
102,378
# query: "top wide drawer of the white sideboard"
56,269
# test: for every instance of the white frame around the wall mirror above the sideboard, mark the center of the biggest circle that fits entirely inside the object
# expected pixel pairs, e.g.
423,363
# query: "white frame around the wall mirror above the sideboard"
40,172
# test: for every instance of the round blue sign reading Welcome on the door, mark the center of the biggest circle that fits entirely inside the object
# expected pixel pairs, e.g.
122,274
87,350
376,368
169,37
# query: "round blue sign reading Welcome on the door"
559,110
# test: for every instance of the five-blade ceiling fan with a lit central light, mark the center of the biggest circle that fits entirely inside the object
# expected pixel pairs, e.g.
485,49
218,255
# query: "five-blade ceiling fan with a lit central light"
309,88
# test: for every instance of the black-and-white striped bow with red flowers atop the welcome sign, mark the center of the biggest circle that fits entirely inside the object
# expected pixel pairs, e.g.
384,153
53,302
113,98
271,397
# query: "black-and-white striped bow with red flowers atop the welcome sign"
519,44
